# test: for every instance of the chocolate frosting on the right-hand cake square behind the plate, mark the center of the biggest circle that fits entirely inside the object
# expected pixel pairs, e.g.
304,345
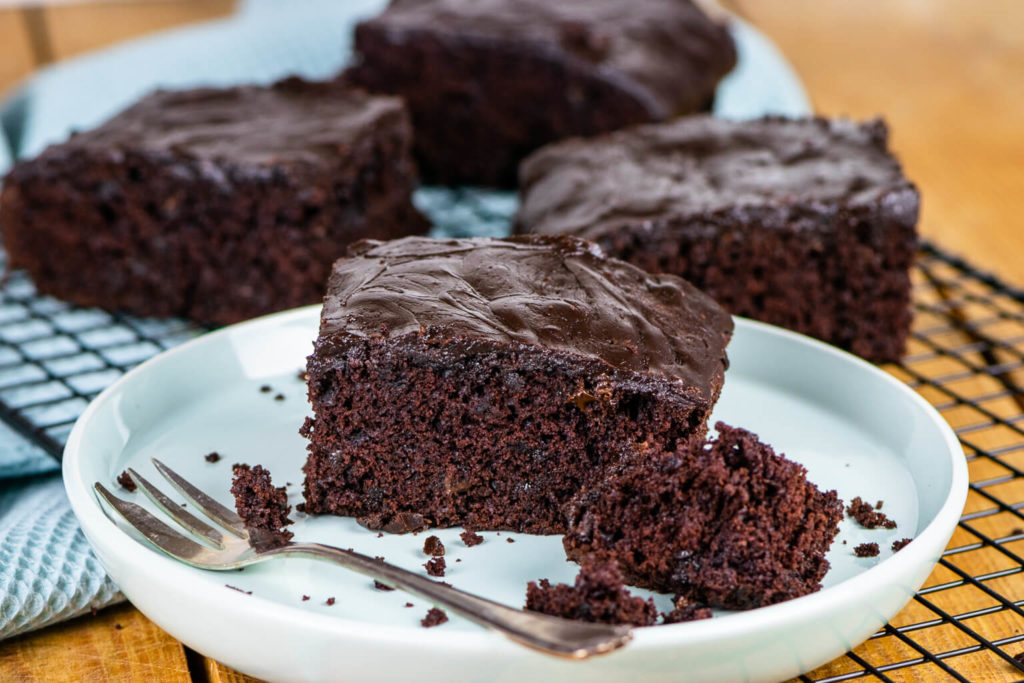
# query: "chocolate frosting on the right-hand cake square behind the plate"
702,165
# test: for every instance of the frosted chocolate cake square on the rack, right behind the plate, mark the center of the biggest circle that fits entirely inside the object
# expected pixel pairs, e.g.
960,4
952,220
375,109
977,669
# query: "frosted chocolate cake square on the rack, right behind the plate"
808,224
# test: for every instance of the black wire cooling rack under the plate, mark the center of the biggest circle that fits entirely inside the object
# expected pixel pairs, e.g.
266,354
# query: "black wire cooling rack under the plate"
966,356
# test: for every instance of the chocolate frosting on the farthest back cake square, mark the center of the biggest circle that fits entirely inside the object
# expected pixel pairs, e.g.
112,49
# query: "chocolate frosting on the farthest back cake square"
668,54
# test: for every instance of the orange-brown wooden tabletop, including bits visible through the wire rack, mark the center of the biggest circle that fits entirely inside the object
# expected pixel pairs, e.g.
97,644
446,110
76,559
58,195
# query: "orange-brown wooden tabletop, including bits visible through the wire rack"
948,76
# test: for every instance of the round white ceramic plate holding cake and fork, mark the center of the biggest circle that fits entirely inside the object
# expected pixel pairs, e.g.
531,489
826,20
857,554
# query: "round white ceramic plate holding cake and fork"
855,428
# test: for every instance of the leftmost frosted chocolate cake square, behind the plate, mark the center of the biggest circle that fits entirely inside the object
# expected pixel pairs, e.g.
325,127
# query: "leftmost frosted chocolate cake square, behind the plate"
216,205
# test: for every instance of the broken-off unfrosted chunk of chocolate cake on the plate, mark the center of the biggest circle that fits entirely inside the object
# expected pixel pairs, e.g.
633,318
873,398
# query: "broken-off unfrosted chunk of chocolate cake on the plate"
728,525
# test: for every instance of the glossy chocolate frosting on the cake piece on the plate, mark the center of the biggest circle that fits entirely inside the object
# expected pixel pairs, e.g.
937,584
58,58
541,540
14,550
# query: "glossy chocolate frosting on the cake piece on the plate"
554,293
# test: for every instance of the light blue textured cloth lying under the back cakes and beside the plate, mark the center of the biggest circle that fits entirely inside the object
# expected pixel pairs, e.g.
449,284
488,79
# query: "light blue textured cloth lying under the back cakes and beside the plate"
48,572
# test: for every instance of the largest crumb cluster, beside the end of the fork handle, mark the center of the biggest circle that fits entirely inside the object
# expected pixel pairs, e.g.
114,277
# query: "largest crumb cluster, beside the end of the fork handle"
599,595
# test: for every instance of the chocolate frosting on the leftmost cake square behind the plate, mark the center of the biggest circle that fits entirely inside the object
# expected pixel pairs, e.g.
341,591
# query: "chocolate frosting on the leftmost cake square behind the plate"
291,123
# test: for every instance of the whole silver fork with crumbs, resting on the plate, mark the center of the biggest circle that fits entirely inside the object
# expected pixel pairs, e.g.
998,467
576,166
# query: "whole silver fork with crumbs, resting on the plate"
237,548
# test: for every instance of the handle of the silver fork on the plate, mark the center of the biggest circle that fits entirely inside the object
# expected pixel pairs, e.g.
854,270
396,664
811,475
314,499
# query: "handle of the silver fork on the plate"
576,641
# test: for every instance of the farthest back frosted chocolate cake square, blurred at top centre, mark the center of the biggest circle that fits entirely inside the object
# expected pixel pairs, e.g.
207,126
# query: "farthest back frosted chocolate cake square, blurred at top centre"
490,81
